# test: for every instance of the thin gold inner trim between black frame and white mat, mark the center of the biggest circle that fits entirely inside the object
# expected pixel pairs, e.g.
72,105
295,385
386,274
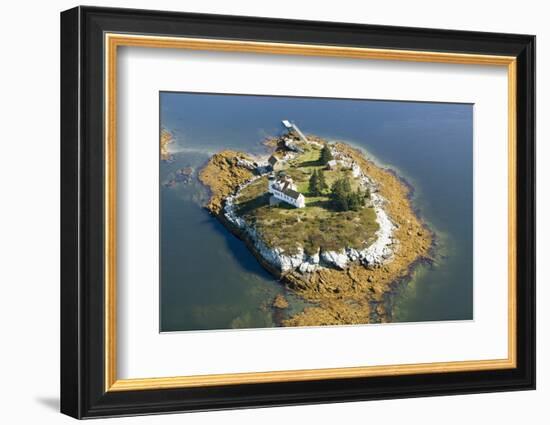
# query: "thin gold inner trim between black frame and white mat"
114,41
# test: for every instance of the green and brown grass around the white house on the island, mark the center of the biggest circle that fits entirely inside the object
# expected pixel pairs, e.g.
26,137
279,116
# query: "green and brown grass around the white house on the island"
318,225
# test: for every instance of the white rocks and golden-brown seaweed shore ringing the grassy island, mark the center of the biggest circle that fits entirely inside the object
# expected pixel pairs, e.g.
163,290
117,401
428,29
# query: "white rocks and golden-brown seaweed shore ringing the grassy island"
347,286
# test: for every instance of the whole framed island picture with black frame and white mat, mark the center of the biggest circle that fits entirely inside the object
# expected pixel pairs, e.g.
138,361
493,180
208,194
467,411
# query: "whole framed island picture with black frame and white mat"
261,212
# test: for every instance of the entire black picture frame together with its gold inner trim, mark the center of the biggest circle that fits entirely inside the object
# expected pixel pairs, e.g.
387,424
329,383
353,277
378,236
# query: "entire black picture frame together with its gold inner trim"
91,40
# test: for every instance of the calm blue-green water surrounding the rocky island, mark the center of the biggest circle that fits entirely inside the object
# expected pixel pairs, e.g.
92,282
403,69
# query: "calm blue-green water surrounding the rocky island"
209,279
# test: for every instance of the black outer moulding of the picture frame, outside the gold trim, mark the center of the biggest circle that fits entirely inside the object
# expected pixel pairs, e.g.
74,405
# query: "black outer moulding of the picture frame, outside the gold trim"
82,214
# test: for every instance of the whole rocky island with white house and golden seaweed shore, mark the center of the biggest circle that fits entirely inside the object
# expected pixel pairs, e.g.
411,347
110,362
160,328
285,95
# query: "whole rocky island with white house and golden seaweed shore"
337,229
